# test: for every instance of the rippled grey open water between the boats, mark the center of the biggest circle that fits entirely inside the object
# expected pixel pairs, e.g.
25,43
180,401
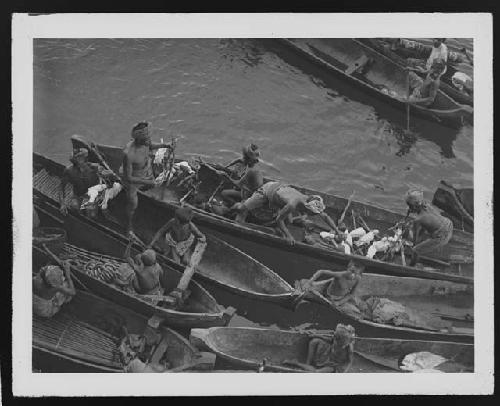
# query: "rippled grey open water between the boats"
219,95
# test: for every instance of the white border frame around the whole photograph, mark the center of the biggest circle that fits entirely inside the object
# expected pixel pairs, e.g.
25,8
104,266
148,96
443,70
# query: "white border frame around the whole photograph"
471,25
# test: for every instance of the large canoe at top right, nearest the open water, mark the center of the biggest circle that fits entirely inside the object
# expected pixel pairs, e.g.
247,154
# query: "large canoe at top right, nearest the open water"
378,75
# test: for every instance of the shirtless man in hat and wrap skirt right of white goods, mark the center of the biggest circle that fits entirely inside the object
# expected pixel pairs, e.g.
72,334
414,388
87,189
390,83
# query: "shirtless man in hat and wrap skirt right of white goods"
428,219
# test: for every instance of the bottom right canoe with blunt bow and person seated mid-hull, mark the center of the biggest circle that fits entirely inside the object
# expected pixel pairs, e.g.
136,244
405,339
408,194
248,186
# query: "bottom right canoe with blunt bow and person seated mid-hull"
246,348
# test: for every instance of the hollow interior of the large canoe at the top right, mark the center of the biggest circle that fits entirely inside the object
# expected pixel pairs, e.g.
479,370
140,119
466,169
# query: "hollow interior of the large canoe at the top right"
380,72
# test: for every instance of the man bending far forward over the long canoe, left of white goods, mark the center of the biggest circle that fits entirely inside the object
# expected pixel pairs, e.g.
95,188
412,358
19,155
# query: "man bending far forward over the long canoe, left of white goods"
288,200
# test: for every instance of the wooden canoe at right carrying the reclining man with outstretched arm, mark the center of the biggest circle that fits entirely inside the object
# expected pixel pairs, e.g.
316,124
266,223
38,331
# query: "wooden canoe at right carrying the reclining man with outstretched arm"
451,306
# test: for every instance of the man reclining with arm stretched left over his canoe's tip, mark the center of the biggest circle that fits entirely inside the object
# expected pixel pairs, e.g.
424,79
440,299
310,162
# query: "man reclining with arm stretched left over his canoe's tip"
340,287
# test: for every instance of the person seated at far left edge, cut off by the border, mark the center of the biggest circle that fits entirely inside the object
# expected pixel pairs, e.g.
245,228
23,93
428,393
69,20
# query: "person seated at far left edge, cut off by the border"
51,289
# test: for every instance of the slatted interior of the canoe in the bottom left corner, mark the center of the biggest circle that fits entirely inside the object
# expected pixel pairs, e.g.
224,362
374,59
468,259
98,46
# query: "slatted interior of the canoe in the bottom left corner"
89,329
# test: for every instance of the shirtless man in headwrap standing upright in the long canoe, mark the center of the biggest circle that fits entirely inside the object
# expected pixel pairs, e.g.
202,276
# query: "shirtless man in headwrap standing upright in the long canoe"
137,167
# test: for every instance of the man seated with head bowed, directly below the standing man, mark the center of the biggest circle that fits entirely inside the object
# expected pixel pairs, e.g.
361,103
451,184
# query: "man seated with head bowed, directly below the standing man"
179,234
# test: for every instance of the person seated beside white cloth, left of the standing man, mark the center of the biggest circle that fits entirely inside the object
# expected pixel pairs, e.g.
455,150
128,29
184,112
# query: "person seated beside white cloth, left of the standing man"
81,175
